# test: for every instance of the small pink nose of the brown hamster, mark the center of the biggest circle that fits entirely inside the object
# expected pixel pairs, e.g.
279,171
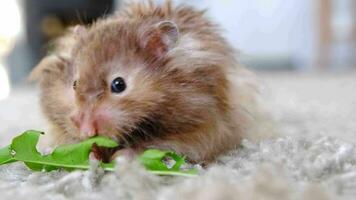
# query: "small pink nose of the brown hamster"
85,125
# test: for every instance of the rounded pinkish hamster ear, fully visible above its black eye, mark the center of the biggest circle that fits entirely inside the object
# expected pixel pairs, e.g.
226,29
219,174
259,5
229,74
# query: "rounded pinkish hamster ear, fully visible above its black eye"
159,39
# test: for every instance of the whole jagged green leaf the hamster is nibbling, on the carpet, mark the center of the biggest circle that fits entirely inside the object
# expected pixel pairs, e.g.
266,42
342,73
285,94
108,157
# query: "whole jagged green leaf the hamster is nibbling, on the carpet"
76,156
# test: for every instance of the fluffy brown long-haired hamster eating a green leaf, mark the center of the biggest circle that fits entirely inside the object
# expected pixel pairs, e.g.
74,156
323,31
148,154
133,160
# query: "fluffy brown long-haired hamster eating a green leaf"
149,76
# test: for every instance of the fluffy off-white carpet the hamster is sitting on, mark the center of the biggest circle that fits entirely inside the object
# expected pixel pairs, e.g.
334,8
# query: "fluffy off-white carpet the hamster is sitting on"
314,158
